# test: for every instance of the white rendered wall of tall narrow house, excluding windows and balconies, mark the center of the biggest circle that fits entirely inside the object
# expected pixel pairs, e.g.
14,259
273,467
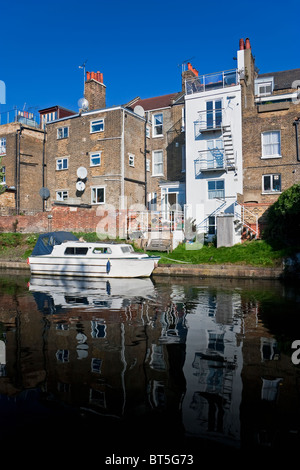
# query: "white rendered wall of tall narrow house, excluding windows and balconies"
198,204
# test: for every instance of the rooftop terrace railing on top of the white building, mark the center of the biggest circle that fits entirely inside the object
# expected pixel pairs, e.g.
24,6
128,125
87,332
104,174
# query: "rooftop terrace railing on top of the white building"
211,81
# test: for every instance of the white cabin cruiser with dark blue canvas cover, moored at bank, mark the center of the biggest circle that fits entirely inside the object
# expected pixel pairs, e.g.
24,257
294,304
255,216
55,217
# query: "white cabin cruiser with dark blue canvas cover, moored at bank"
61,253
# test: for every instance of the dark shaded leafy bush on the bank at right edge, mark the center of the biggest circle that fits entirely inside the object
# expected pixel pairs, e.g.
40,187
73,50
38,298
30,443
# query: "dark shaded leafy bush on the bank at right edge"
283,219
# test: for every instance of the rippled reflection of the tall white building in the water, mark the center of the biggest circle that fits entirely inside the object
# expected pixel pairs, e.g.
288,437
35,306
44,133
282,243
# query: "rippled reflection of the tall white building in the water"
213,362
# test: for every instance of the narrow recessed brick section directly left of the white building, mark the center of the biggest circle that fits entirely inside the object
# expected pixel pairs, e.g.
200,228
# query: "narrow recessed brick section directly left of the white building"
165,145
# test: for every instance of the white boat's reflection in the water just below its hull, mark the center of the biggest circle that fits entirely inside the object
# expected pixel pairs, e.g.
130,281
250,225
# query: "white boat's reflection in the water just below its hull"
64,292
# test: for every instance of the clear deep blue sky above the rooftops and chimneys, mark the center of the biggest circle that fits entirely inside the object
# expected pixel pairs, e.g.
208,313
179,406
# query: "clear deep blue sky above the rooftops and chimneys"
138,46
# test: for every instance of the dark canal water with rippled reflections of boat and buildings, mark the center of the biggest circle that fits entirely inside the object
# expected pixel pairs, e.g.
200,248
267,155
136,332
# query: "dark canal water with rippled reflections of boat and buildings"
161,365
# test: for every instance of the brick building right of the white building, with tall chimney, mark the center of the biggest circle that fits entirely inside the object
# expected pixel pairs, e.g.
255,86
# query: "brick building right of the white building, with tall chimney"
270,114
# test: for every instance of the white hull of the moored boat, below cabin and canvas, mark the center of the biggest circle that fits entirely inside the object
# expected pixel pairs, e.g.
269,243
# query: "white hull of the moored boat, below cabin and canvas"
93,267
